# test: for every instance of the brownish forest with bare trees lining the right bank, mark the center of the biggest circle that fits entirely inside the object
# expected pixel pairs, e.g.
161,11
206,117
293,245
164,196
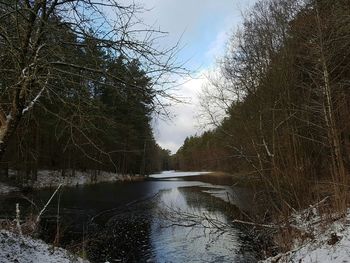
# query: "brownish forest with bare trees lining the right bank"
280,103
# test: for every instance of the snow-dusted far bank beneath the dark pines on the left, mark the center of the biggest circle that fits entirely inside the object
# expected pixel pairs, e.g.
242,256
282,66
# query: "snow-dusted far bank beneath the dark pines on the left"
52,178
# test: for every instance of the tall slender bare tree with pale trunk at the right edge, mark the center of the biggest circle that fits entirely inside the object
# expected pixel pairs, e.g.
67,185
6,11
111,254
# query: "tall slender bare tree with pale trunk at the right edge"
328,49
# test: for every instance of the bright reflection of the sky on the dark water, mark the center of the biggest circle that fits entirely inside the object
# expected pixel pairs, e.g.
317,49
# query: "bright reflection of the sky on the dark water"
187,223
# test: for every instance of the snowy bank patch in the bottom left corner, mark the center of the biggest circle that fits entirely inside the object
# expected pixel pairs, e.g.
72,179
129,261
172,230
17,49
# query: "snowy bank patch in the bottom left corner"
16,248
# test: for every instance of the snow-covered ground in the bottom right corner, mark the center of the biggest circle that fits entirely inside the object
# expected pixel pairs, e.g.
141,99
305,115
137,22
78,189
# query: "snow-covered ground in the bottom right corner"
330,243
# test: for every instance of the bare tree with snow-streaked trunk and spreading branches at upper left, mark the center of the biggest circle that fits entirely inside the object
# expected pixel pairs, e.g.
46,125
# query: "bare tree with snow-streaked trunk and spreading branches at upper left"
39,43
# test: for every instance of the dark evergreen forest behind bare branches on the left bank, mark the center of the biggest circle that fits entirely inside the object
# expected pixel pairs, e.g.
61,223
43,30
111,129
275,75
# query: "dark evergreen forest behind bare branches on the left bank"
78,93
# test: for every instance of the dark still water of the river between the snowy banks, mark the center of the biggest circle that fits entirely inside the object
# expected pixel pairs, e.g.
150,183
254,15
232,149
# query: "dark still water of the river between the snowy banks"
183,219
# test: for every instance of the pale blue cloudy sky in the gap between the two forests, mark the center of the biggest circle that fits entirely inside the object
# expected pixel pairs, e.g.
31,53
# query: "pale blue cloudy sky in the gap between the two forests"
203,27
